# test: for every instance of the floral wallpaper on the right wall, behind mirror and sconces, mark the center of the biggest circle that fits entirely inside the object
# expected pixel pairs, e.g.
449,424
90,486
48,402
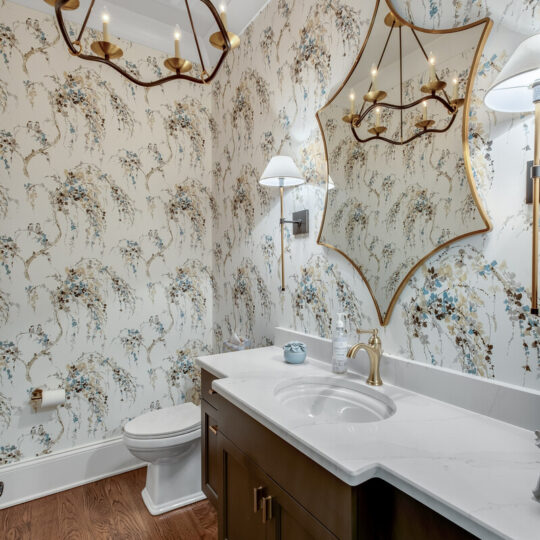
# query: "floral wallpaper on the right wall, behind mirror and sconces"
468,307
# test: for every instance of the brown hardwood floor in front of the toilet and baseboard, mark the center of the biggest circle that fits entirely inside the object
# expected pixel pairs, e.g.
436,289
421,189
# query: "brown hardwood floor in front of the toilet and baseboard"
109,509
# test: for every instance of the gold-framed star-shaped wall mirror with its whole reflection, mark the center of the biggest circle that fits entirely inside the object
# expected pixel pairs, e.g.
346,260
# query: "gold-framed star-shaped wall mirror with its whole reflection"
400,163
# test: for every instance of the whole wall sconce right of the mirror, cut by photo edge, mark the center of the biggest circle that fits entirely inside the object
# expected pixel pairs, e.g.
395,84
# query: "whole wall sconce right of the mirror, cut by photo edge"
516,90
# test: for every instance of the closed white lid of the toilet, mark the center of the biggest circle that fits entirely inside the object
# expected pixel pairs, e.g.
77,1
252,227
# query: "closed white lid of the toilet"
165,422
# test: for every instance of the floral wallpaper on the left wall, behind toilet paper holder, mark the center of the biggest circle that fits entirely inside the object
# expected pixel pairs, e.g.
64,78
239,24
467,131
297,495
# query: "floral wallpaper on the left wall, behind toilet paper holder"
106,258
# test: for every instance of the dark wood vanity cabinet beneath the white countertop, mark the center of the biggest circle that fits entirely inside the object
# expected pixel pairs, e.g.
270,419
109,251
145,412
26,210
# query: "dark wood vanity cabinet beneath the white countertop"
264,488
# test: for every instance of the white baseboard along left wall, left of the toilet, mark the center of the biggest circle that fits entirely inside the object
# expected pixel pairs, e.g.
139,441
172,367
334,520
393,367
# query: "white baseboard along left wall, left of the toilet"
34,478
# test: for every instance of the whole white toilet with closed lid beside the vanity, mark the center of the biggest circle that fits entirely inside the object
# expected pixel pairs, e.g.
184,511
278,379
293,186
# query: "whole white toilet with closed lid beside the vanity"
170,441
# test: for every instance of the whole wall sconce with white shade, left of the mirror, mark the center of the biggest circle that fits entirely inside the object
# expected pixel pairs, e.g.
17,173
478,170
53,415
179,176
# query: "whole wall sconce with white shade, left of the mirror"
282,172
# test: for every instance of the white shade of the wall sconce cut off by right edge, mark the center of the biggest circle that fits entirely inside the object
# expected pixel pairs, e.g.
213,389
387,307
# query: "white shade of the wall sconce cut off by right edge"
512,92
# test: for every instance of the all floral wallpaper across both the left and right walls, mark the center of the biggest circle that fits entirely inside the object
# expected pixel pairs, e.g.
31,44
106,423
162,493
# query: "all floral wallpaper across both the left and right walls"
134,234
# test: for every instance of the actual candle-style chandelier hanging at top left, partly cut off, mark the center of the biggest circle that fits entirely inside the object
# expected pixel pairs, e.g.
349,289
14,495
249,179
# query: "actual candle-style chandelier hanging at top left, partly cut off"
106,50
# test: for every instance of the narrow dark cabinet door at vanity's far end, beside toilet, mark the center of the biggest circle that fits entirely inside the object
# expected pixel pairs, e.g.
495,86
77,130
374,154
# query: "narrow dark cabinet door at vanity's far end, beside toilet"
210,456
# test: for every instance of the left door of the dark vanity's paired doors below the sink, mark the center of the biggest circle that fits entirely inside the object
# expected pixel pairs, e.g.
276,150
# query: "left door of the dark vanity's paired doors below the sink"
239,514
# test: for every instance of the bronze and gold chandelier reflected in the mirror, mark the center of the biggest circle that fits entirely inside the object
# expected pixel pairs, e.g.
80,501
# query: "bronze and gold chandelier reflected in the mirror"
373,99
